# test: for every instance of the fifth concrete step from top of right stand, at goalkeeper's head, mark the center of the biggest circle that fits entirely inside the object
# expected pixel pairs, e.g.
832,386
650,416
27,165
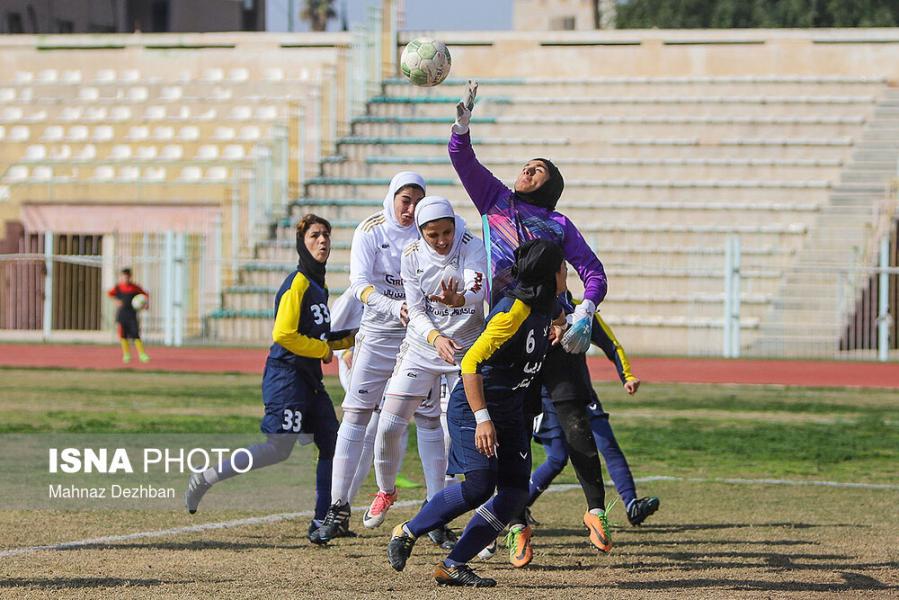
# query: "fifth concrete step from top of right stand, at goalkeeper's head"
605,168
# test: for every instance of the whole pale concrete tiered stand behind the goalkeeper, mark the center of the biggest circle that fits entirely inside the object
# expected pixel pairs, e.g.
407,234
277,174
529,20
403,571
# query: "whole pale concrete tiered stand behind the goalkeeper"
659,172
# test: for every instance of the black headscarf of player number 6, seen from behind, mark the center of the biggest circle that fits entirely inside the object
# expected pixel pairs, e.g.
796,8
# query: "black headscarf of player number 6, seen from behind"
536,265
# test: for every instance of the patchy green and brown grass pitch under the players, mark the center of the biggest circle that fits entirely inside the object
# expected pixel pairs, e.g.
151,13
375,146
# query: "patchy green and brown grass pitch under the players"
710,539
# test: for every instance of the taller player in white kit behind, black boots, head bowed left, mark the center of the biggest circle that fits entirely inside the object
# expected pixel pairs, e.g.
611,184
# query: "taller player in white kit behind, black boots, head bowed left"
375,280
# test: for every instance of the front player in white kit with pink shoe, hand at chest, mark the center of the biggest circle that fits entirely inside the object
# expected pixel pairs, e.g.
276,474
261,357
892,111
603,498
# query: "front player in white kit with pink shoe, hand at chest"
443,276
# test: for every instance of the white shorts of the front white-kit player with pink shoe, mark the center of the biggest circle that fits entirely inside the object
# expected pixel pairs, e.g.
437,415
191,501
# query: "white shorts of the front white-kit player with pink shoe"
420,377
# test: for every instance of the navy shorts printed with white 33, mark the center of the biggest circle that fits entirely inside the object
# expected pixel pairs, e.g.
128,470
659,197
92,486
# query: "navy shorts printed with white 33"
293,406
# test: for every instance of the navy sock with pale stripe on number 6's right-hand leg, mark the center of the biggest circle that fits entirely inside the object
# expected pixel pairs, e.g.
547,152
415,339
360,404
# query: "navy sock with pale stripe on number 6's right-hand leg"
488,522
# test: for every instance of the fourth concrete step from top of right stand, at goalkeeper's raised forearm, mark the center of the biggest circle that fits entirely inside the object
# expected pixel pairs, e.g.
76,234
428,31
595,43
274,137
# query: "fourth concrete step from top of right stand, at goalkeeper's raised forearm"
645,145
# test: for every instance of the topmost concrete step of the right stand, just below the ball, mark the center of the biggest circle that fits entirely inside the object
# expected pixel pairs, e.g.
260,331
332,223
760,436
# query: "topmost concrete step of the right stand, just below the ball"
649,86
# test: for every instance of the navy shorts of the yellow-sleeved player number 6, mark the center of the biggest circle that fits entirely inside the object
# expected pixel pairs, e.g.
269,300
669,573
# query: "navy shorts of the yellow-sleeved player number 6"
512,463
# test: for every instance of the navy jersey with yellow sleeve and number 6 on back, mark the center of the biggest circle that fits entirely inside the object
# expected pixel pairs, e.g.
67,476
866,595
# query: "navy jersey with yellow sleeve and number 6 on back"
509,352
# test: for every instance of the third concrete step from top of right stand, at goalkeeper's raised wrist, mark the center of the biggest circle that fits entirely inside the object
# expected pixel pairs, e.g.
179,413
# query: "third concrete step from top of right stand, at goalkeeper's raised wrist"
614,127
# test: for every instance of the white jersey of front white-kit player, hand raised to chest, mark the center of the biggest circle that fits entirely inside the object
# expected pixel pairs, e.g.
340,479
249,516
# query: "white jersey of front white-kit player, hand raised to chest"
423,273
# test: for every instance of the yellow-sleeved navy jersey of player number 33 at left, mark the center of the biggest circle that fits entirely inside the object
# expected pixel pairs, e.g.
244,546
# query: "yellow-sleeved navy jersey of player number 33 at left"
303,326
